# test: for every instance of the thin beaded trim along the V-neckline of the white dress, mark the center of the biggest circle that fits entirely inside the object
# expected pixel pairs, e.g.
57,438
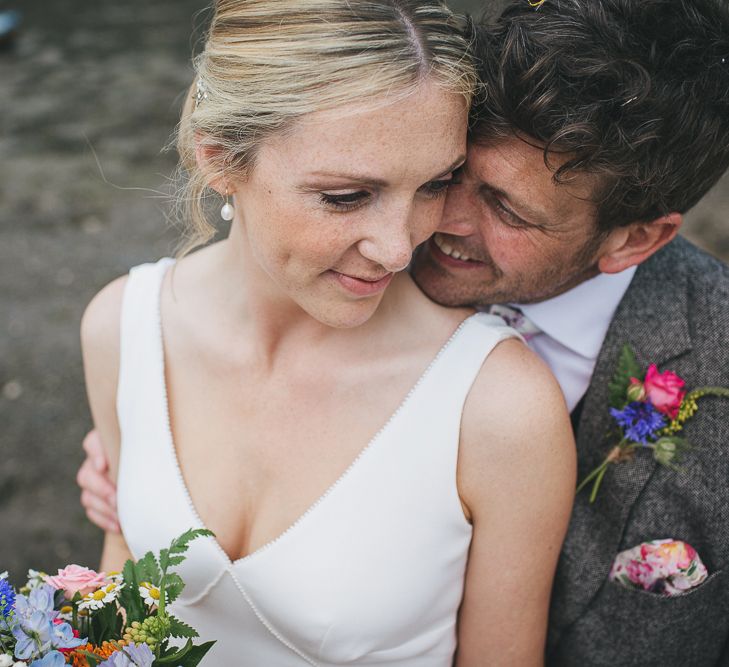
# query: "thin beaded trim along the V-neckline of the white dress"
328,491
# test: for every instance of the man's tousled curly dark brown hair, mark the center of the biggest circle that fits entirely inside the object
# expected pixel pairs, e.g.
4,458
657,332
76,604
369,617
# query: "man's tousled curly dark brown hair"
635,92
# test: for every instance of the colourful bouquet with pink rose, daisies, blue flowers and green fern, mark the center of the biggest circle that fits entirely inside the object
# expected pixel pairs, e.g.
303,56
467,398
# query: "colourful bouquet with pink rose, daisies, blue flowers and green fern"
89,619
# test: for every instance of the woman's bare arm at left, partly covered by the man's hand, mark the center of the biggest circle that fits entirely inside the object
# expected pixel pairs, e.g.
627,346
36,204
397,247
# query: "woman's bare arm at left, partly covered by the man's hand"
100,347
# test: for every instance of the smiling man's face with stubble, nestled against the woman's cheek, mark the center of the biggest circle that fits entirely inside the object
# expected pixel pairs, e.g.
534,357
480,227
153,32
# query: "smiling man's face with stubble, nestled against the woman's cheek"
509,232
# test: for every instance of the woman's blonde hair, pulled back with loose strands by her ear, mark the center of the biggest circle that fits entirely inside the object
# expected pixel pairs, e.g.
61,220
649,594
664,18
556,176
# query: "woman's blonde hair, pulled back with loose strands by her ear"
267,63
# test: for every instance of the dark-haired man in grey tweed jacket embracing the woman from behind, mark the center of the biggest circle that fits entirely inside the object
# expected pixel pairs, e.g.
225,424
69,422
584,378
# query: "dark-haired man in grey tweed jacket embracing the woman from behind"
601,123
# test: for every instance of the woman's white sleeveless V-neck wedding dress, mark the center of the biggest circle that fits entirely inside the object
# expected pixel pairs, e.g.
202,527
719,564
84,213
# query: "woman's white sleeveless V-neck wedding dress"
371,574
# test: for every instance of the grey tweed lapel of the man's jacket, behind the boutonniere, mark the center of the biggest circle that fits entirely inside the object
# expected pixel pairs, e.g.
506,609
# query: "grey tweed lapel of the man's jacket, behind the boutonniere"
653,319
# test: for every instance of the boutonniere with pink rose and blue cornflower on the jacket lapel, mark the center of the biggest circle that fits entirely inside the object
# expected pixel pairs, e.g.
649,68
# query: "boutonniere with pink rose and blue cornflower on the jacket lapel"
648,414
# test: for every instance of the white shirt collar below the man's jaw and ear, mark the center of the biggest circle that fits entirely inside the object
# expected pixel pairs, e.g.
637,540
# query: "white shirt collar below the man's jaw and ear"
579,318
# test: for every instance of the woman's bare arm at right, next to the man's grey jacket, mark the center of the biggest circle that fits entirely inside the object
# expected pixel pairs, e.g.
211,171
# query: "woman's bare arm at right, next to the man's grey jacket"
516,476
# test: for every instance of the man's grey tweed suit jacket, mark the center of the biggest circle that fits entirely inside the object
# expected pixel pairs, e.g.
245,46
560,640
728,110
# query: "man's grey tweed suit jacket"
675,314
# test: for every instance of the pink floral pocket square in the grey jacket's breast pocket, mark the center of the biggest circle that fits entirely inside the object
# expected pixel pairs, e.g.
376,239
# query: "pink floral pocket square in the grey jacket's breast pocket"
664,567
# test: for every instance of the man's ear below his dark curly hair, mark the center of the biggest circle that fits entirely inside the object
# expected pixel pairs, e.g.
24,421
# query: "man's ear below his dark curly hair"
633,244
